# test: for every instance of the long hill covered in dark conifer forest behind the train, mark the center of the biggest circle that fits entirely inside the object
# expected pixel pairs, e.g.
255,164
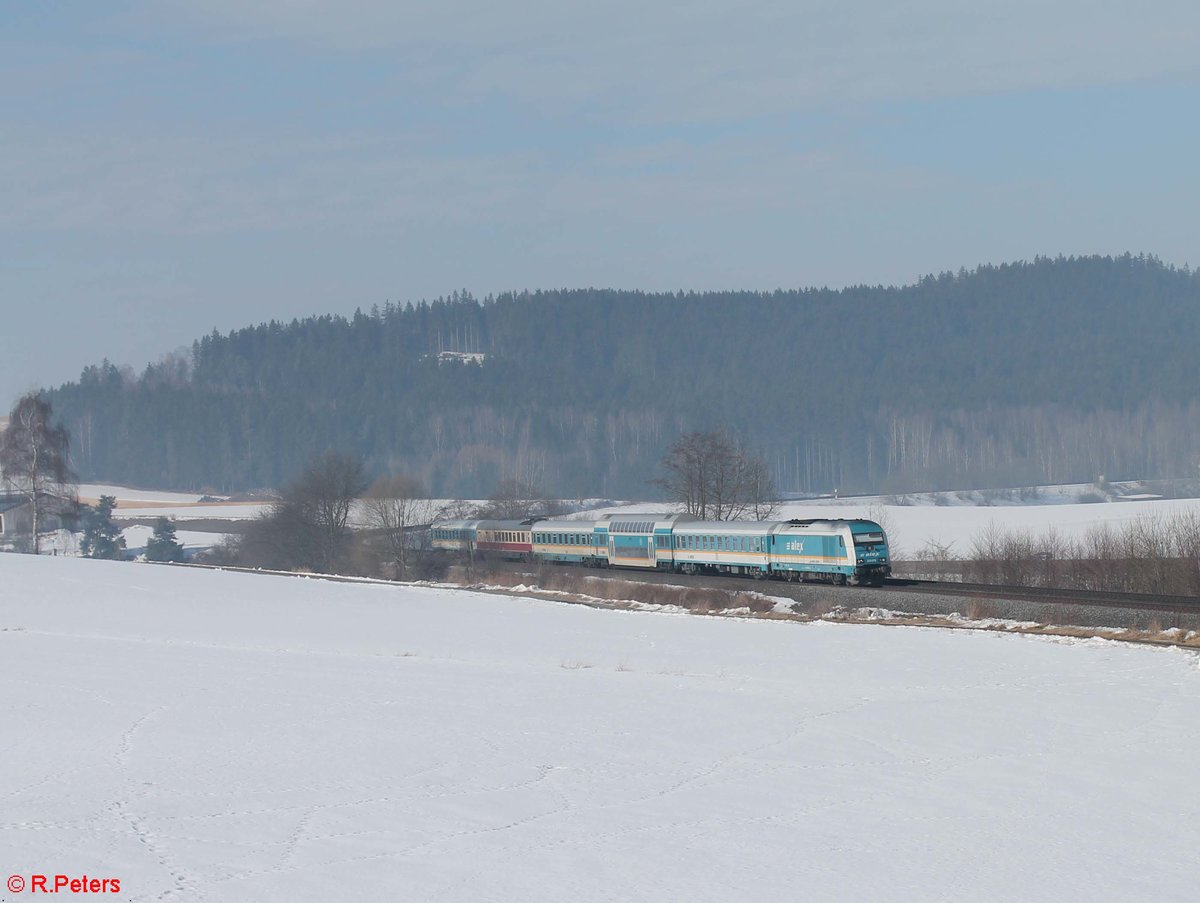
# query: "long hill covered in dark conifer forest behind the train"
1053,370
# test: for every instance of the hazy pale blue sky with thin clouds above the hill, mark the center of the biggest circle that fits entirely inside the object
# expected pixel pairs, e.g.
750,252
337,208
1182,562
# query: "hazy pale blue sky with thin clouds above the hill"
179,166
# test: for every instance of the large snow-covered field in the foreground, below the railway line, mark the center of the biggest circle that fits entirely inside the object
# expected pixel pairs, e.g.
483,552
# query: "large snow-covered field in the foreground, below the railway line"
219,737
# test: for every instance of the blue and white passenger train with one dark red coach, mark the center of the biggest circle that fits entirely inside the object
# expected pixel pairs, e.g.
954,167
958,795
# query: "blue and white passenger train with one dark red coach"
838,551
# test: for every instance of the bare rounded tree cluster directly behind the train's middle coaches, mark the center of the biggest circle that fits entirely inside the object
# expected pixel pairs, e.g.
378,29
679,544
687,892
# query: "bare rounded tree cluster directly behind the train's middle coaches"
713,477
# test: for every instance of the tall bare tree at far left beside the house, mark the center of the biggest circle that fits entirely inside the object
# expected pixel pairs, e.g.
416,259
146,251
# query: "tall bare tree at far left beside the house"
35,463
